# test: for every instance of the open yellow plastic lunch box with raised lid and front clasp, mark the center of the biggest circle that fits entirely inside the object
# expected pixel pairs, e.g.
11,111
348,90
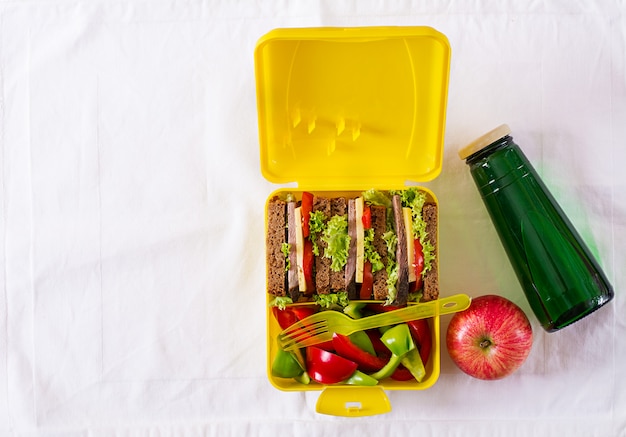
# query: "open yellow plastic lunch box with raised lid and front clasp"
343,110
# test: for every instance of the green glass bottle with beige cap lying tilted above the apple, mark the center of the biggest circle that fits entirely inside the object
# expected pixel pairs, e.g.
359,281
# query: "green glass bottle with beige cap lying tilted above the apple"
560,277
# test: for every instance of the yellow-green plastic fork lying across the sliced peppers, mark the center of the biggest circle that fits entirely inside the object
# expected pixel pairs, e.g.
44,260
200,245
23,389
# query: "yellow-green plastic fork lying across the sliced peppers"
321,326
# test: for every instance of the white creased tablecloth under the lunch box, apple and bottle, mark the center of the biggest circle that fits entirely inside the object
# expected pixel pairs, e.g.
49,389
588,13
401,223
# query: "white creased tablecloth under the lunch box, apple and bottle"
132,268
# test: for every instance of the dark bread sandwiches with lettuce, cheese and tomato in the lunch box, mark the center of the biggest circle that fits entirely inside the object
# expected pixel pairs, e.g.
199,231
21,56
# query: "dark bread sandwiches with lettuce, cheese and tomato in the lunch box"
379,245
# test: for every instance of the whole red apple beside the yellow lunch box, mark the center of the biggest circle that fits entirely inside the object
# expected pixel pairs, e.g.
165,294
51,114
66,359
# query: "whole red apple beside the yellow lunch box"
491,339
